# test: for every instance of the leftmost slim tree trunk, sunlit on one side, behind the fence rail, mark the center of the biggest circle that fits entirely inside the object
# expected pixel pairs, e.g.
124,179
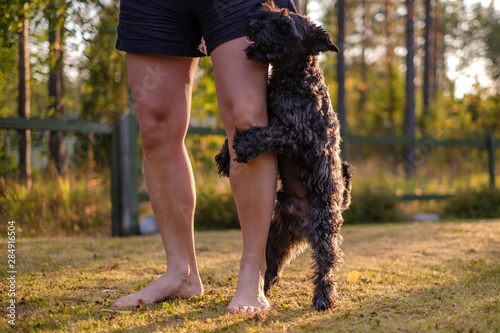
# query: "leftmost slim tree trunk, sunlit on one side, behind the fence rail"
24,106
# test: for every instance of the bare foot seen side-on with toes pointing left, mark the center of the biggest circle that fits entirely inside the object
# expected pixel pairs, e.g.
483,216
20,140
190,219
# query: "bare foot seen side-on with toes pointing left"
169,285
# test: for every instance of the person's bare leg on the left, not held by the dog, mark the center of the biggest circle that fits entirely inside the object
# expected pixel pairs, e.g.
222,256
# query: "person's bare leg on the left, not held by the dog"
162,87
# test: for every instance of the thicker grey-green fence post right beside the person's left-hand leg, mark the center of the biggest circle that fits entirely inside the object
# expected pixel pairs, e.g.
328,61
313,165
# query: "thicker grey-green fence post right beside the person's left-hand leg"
128,144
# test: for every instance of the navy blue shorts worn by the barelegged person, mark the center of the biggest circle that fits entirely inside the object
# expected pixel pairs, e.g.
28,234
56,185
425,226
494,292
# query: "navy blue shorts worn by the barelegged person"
189,28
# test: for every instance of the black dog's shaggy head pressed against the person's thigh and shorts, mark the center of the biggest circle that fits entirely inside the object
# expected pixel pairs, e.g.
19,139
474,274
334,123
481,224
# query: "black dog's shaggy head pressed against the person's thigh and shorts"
278,35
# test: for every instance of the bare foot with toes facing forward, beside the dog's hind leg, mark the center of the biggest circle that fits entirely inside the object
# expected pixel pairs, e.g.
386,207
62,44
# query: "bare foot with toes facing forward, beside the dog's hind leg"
249,297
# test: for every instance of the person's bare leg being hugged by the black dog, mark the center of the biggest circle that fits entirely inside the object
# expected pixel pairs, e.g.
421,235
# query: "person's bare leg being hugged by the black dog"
241,94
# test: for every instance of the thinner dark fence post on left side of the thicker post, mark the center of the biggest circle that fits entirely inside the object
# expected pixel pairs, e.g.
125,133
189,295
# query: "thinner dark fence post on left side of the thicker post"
116,199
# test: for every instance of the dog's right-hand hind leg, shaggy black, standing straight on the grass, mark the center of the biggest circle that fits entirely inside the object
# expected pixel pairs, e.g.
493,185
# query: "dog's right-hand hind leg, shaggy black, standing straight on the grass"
325,241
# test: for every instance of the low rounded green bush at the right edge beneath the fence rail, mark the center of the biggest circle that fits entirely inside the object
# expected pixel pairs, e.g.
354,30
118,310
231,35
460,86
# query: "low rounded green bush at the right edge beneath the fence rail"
483,203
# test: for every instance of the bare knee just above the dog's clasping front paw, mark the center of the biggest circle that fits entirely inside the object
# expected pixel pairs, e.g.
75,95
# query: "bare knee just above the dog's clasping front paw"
248,114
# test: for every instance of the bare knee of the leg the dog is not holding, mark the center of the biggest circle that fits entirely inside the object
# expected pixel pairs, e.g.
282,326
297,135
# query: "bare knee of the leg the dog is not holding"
160,131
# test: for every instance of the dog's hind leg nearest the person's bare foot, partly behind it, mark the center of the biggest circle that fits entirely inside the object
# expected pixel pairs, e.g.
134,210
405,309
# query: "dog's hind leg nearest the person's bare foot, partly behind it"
283,244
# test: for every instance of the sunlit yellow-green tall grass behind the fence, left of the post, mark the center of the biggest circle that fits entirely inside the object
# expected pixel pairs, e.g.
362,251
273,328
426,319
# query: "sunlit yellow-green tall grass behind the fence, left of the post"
57,205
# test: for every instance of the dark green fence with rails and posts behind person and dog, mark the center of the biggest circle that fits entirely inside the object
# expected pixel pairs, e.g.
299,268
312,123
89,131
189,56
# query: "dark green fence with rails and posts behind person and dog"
125,197
